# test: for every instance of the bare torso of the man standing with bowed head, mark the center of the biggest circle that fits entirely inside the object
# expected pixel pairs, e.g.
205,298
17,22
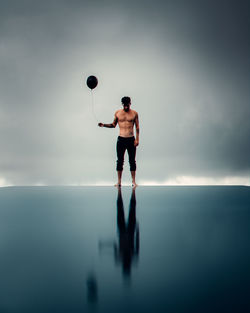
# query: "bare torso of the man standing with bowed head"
126,121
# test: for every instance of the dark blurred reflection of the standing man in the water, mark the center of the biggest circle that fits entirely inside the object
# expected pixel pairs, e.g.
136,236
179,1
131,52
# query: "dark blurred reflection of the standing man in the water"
128,249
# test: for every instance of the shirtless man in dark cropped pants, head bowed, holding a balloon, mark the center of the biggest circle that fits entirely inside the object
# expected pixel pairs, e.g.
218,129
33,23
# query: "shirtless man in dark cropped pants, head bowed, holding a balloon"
126,119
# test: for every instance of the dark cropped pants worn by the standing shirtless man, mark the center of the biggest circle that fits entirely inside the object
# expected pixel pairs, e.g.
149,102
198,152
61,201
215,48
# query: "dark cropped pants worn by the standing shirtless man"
123,144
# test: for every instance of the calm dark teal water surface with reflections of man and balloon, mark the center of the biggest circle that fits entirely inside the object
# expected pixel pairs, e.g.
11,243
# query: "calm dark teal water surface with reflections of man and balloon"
93,249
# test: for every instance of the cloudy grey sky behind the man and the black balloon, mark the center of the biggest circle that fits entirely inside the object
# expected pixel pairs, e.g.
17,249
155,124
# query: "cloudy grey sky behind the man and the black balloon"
185,65
